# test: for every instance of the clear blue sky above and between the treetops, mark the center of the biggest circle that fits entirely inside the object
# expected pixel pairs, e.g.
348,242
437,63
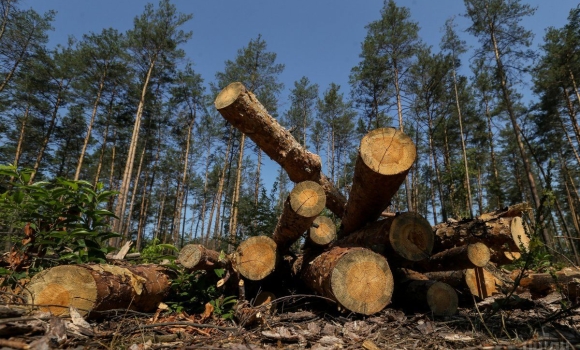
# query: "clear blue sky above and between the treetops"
319,39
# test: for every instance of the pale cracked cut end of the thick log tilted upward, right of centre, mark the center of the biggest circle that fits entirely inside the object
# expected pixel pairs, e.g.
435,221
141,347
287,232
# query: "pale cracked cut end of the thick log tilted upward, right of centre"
388,151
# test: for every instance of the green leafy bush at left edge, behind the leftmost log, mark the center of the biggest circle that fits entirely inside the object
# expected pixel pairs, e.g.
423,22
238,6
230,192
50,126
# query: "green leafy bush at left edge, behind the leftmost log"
61,218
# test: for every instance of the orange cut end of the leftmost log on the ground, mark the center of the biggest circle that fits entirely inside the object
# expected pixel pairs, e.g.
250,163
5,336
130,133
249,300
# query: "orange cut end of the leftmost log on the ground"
61,287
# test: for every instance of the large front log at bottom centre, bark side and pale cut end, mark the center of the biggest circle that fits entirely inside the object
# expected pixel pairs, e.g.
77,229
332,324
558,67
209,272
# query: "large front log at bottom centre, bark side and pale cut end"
357,278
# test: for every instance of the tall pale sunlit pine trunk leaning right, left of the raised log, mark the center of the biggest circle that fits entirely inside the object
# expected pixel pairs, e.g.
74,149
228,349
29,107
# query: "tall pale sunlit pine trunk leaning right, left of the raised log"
124,190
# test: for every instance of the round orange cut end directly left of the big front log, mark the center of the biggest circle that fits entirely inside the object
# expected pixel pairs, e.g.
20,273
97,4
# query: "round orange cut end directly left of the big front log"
255,257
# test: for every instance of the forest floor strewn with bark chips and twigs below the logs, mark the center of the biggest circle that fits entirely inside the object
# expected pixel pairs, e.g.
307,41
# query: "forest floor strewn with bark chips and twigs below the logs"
310,323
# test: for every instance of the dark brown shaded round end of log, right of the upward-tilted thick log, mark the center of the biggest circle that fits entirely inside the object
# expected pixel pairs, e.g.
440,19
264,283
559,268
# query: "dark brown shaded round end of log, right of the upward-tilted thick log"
411,236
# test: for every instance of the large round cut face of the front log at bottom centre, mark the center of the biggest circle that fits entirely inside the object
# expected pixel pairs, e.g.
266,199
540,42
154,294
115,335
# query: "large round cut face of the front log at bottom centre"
362,281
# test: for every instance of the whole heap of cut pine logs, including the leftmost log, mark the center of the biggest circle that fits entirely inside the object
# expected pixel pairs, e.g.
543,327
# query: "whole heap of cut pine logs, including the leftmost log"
374,259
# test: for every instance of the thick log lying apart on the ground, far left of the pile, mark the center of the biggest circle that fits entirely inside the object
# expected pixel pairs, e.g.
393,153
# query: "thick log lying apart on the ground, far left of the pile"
92,288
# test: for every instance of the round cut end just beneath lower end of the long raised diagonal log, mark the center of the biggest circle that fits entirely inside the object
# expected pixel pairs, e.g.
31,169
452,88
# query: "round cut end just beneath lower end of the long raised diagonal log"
307,199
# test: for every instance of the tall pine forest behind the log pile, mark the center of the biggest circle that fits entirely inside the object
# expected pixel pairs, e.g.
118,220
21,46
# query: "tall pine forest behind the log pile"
128,110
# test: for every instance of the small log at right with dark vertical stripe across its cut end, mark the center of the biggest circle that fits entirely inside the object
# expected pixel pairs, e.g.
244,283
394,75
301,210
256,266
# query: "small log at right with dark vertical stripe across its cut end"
478,282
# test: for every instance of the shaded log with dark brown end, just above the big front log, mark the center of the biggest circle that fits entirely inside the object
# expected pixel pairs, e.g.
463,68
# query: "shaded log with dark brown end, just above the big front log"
408,235
